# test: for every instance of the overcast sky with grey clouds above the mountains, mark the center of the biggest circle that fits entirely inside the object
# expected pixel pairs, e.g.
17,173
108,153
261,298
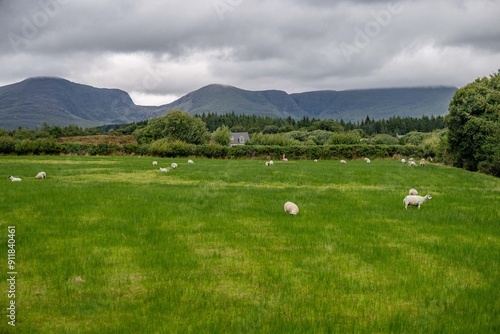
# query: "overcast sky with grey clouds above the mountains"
159,50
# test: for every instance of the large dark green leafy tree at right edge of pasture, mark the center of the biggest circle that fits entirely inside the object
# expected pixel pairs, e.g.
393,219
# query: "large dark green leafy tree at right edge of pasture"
474,126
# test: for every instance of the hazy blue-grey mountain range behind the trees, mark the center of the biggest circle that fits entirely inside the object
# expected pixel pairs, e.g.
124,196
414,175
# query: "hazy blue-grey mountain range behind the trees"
57,101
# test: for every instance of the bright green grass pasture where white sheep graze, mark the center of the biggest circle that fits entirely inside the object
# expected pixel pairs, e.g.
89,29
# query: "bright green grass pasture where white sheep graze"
208,248
